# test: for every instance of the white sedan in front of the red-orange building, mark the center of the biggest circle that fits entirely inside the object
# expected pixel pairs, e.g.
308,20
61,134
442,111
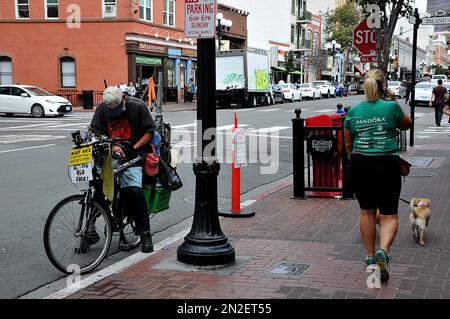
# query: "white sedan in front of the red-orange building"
32,100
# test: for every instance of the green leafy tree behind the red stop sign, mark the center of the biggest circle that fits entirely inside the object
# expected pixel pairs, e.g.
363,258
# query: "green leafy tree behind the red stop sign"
339,26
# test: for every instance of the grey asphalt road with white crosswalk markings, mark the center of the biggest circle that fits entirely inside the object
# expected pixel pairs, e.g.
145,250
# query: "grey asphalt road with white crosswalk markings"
34,155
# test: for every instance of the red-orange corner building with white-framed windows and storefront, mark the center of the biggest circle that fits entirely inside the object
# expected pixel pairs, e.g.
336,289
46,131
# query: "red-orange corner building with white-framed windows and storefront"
83,44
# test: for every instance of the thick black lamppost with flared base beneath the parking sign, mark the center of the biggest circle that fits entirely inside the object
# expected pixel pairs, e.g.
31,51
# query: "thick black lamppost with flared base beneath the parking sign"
206,244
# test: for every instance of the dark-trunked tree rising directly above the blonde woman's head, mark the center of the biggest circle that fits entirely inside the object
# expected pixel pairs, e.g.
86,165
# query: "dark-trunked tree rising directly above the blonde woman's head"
391,11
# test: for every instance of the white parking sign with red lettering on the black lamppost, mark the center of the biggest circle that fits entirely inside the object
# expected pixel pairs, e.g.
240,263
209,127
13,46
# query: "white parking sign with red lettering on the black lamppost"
200,18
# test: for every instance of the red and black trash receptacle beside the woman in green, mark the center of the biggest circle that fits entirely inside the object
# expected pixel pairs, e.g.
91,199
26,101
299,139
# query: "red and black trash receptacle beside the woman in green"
325,147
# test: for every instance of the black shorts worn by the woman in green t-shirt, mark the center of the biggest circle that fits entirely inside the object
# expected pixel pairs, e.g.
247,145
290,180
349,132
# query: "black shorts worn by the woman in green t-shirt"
376,181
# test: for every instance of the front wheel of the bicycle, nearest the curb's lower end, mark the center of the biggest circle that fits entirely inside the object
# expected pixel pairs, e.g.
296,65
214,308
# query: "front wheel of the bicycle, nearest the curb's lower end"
72,239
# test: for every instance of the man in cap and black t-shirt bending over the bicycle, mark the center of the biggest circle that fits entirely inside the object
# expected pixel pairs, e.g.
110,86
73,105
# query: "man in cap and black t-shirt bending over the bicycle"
128,120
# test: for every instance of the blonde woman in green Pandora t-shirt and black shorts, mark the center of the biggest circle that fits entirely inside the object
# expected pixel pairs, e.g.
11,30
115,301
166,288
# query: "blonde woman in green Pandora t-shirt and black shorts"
370,139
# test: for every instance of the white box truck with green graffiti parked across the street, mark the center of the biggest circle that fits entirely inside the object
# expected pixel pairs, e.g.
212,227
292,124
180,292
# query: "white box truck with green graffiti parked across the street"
242,78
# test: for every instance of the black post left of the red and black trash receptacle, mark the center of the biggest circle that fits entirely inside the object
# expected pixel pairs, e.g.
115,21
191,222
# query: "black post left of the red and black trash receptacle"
298,140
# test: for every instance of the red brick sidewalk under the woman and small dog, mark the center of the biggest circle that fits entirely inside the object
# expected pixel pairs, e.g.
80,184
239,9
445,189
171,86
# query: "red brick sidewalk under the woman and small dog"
322,234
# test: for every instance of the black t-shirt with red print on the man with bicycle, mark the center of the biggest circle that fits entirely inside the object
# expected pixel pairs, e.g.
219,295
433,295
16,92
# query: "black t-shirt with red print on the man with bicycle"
130,125
